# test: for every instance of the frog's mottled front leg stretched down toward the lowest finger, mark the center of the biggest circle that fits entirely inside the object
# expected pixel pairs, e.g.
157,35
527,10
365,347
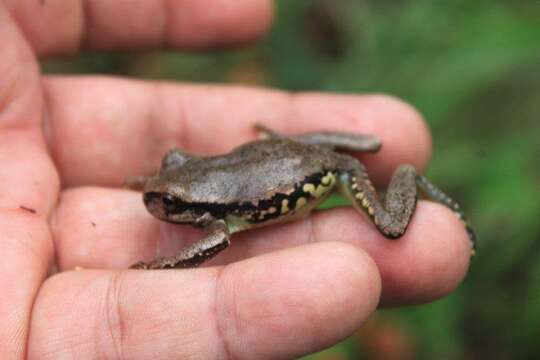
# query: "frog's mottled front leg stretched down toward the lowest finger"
218,239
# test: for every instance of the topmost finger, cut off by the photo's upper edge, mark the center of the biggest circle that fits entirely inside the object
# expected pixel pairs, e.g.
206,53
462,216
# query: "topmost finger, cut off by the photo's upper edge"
63,26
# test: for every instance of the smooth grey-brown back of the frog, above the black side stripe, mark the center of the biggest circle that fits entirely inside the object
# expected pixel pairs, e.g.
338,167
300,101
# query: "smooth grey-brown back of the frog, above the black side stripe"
256,171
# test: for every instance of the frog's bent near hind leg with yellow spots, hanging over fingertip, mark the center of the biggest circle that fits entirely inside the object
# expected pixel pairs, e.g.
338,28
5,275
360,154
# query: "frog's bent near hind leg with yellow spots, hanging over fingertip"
392,216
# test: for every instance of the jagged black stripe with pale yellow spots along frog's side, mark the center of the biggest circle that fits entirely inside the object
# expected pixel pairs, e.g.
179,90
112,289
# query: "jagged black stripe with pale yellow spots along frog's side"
263,210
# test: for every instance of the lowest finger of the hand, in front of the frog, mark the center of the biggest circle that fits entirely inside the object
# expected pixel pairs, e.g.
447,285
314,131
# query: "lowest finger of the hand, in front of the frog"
281,305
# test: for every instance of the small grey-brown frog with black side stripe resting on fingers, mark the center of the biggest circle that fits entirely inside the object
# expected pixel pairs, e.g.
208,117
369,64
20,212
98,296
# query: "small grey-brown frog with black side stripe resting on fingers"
275,179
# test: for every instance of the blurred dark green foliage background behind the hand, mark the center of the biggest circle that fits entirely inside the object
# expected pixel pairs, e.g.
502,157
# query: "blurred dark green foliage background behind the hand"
472,68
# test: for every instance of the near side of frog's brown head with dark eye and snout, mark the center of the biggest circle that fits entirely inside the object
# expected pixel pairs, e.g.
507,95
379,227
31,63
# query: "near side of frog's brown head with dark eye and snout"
167,201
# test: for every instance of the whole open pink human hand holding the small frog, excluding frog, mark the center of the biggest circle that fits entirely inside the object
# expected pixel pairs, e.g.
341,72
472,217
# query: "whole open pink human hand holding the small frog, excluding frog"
67,143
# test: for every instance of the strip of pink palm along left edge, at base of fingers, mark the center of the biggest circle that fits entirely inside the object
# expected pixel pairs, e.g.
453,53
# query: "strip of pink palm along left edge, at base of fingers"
27,183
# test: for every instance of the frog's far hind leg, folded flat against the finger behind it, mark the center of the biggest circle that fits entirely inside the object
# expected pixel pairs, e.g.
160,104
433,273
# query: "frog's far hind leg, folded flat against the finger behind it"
335,140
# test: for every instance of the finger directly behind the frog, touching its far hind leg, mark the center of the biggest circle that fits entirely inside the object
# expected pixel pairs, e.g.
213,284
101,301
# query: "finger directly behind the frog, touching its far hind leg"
134,123
